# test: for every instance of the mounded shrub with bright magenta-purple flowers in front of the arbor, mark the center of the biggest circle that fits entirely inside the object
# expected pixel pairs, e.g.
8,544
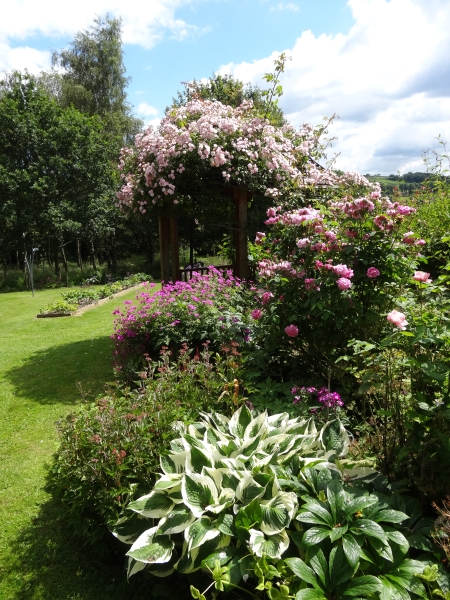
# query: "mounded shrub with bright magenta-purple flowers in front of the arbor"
210,307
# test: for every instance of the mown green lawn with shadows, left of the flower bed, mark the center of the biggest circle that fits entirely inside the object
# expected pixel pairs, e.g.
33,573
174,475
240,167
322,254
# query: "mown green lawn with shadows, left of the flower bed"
47,368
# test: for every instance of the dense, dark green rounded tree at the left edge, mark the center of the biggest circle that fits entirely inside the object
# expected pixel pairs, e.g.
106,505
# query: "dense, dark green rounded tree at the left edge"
56,178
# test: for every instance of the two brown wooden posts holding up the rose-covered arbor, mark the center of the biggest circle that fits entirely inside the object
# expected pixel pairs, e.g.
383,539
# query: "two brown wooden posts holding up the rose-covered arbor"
169,243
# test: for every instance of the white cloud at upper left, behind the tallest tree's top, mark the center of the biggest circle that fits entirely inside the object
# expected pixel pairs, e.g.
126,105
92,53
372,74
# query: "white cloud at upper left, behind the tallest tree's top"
144,22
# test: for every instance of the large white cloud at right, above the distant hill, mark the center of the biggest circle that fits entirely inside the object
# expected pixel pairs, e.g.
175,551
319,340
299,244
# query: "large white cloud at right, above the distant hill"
388,79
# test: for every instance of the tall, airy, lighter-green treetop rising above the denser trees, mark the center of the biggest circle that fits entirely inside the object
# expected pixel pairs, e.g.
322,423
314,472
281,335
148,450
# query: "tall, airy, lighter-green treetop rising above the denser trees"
94,78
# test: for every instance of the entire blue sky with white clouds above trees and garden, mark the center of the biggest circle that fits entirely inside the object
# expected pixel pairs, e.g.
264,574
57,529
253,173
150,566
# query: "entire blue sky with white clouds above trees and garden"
381,66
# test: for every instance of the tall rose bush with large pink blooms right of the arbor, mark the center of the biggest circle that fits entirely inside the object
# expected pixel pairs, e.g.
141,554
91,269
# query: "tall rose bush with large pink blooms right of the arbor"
328,273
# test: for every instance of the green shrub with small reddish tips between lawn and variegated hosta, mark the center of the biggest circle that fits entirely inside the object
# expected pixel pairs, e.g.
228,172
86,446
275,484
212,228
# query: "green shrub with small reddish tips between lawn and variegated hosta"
110,450
